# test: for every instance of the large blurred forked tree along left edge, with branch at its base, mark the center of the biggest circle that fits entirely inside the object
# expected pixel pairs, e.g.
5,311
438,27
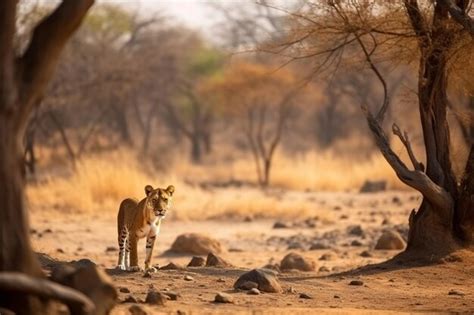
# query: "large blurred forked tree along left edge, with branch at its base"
23,79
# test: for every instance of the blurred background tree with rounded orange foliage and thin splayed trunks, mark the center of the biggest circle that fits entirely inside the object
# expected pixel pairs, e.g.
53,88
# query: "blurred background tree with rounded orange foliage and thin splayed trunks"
263,101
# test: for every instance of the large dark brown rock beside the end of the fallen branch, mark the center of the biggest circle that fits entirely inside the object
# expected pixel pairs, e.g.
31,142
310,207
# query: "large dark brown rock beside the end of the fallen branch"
87,278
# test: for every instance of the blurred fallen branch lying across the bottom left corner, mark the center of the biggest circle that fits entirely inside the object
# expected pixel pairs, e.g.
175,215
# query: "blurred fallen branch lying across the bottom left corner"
18,282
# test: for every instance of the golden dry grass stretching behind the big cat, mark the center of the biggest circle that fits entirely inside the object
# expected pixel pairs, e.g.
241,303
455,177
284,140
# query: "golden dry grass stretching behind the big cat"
99,183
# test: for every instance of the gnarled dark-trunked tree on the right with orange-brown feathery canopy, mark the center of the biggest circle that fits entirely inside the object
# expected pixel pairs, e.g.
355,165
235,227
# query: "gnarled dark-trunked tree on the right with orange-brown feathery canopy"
434,32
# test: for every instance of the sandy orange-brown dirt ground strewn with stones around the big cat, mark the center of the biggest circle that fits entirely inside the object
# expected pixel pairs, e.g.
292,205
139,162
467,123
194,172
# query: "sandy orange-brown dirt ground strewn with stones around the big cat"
252,243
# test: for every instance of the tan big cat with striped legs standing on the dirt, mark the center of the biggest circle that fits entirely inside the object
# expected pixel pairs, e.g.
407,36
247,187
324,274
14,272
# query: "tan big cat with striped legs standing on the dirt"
137,220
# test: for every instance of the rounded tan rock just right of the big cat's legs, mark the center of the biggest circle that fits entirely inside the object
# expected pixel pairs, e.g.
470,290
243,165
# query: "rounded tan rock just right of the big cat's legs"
197,244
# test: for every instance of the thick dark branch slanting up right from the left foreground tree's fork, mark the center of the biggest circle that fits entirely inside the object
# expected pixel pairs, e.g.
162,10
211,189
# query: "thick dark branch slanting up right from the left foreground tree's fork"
49,37
